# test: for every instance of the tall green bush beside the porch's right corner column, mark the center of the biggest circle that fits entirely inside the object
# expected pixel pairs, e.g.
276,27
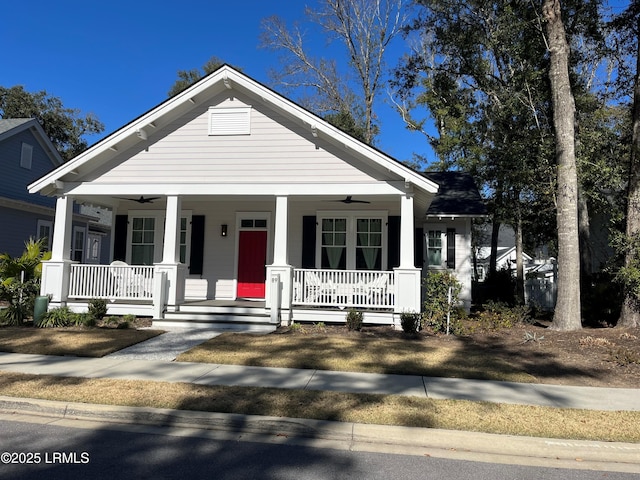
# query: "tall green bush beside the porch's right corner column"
437,306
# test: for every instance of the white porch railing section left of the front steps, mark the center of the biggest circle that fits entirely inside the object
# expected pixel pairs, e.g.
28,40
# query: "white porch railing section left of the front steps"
111,282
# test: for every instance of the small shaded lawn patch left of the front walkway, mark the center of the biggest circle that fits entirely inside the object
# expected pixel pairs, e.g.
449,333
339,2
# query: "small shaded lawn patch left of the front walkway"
77,341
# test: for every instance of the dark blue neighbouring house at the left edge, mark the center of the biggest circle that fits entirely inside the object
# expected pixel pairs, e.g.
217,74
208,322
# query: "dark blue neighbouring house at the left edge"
26,153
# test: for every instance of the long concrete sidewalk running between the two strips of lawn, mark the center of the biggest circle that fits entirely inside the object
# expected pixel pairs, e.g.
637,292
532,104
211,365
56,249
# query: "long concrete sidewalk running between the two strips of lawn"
126,367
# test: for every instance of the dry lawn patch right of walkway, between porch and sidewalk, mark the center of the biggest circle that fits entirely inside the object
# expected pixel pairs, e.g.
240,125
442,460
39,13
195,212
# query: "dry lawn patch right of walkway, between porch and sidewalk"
355,354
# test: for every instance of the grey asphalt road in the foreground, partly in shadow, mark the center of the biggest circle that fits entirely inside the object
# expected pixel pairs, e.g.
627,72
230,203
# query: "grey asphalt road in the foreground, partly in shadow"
39,450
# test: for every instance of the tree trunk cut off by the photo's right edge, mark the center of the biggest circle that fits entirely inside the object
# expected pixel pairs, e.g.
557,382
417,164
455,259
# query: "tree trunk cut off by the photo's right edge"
629,315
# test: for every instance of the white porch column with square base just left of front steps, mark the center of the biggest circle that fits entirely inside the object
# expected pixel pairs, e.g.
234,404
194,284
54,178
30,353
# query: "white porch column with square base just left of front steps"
175,271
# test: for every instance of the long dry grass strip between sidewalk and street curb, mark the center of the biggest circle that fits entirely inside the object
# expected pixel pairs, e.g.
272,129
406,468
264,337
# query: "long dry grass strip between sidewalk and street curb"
345,407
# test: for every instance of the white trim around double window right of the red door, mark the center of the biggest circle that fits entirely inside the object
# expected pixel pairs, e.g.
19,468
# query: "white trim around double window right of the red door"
352,217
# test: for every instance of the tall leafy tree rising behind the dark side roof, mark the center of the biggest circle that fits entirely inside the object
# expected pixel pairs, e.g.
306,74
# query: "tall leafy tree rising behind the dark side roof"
478,70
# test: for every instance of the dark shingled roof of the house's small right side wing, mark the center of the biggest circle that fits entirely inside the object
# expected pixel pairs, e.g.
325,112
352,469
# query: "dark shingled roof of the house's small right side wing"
457,196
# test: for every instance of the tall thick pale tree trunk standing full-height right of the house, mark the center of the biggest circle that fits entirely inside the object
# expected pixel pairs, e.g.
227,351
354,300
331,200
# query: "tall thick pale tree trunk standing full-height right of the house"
567,312
